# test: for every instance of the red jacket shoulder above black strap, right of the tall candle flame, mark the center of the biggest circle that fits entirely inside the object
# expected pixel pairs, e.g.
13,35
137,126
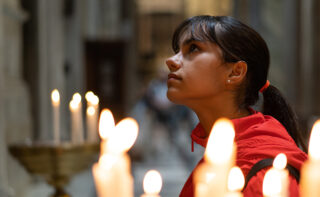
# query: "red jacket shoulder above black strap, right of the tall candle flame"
264,137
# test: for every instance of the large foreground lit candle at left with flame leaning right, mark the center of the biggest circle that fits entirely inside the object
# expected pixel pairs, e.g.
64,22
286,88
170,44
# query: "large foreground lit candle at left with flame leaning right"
112,174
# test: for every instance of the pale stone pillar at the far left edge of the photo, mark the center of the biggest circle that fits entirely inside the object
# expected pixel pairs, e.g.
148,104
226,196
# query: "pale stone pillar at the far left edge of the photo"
15,116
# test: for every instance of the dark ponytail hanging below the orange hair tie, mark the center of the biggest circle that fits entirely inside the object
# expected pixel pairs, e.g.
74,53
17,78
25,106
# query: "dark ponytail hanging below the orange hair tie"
275,105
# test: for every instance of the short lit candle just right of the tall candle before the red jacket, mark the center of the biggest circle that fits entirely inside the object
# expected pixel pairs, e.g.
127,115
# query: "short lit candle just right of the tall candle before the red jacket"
235,182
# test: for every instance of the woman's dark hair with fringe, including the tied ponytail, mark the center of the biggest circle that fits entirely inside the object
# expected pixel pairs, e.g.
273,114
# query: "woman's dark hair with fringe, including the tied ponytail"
239,42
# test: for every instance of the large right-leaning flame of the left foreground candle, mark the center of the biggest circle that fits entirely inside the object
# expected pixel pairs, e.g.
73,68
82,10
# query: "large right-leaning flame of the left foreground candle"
124,136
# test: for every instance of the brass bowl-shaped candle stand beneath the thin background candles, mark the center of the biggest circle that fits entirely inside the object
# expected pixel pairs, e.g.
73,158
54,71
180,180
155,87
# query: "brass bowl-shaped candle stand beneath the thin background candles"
56,163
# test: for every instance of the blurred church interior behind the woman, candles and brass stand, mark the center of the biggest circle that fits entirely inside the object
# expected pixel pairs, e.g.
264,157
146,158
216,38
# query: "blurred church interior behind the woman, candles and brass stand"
117,49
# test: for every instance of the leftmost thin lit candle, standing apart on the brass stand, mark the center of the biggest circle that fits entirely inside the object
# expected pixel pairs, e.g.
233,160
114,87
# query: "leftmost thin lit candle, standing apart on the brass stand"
55,98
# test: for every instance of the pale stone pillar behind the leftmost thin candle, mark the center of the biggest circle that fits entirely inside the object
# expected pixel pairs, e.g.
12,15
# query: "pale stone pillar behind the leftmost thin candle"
51,62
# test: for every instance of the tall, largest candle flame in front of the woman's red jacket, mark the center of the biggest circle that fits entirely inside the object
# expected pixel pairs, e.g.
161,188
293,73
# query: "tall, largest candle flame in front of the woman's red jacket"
220,144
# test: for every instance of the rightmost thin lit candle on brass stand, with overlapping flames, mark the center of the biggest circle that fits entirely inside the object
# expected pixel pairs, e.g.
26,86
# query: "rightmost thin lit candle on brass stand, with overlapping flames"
92,116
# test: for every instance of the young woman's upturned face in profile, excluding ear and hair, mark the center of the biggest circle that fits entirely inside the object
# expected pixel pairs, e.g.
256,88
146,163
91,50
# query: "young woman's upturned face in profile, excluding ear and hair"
197,72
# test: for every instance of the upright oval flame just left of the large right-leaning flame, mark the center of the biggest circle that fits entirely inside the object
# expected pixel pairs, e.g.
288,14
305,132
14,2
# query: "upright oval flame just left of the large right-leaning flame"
106,124
